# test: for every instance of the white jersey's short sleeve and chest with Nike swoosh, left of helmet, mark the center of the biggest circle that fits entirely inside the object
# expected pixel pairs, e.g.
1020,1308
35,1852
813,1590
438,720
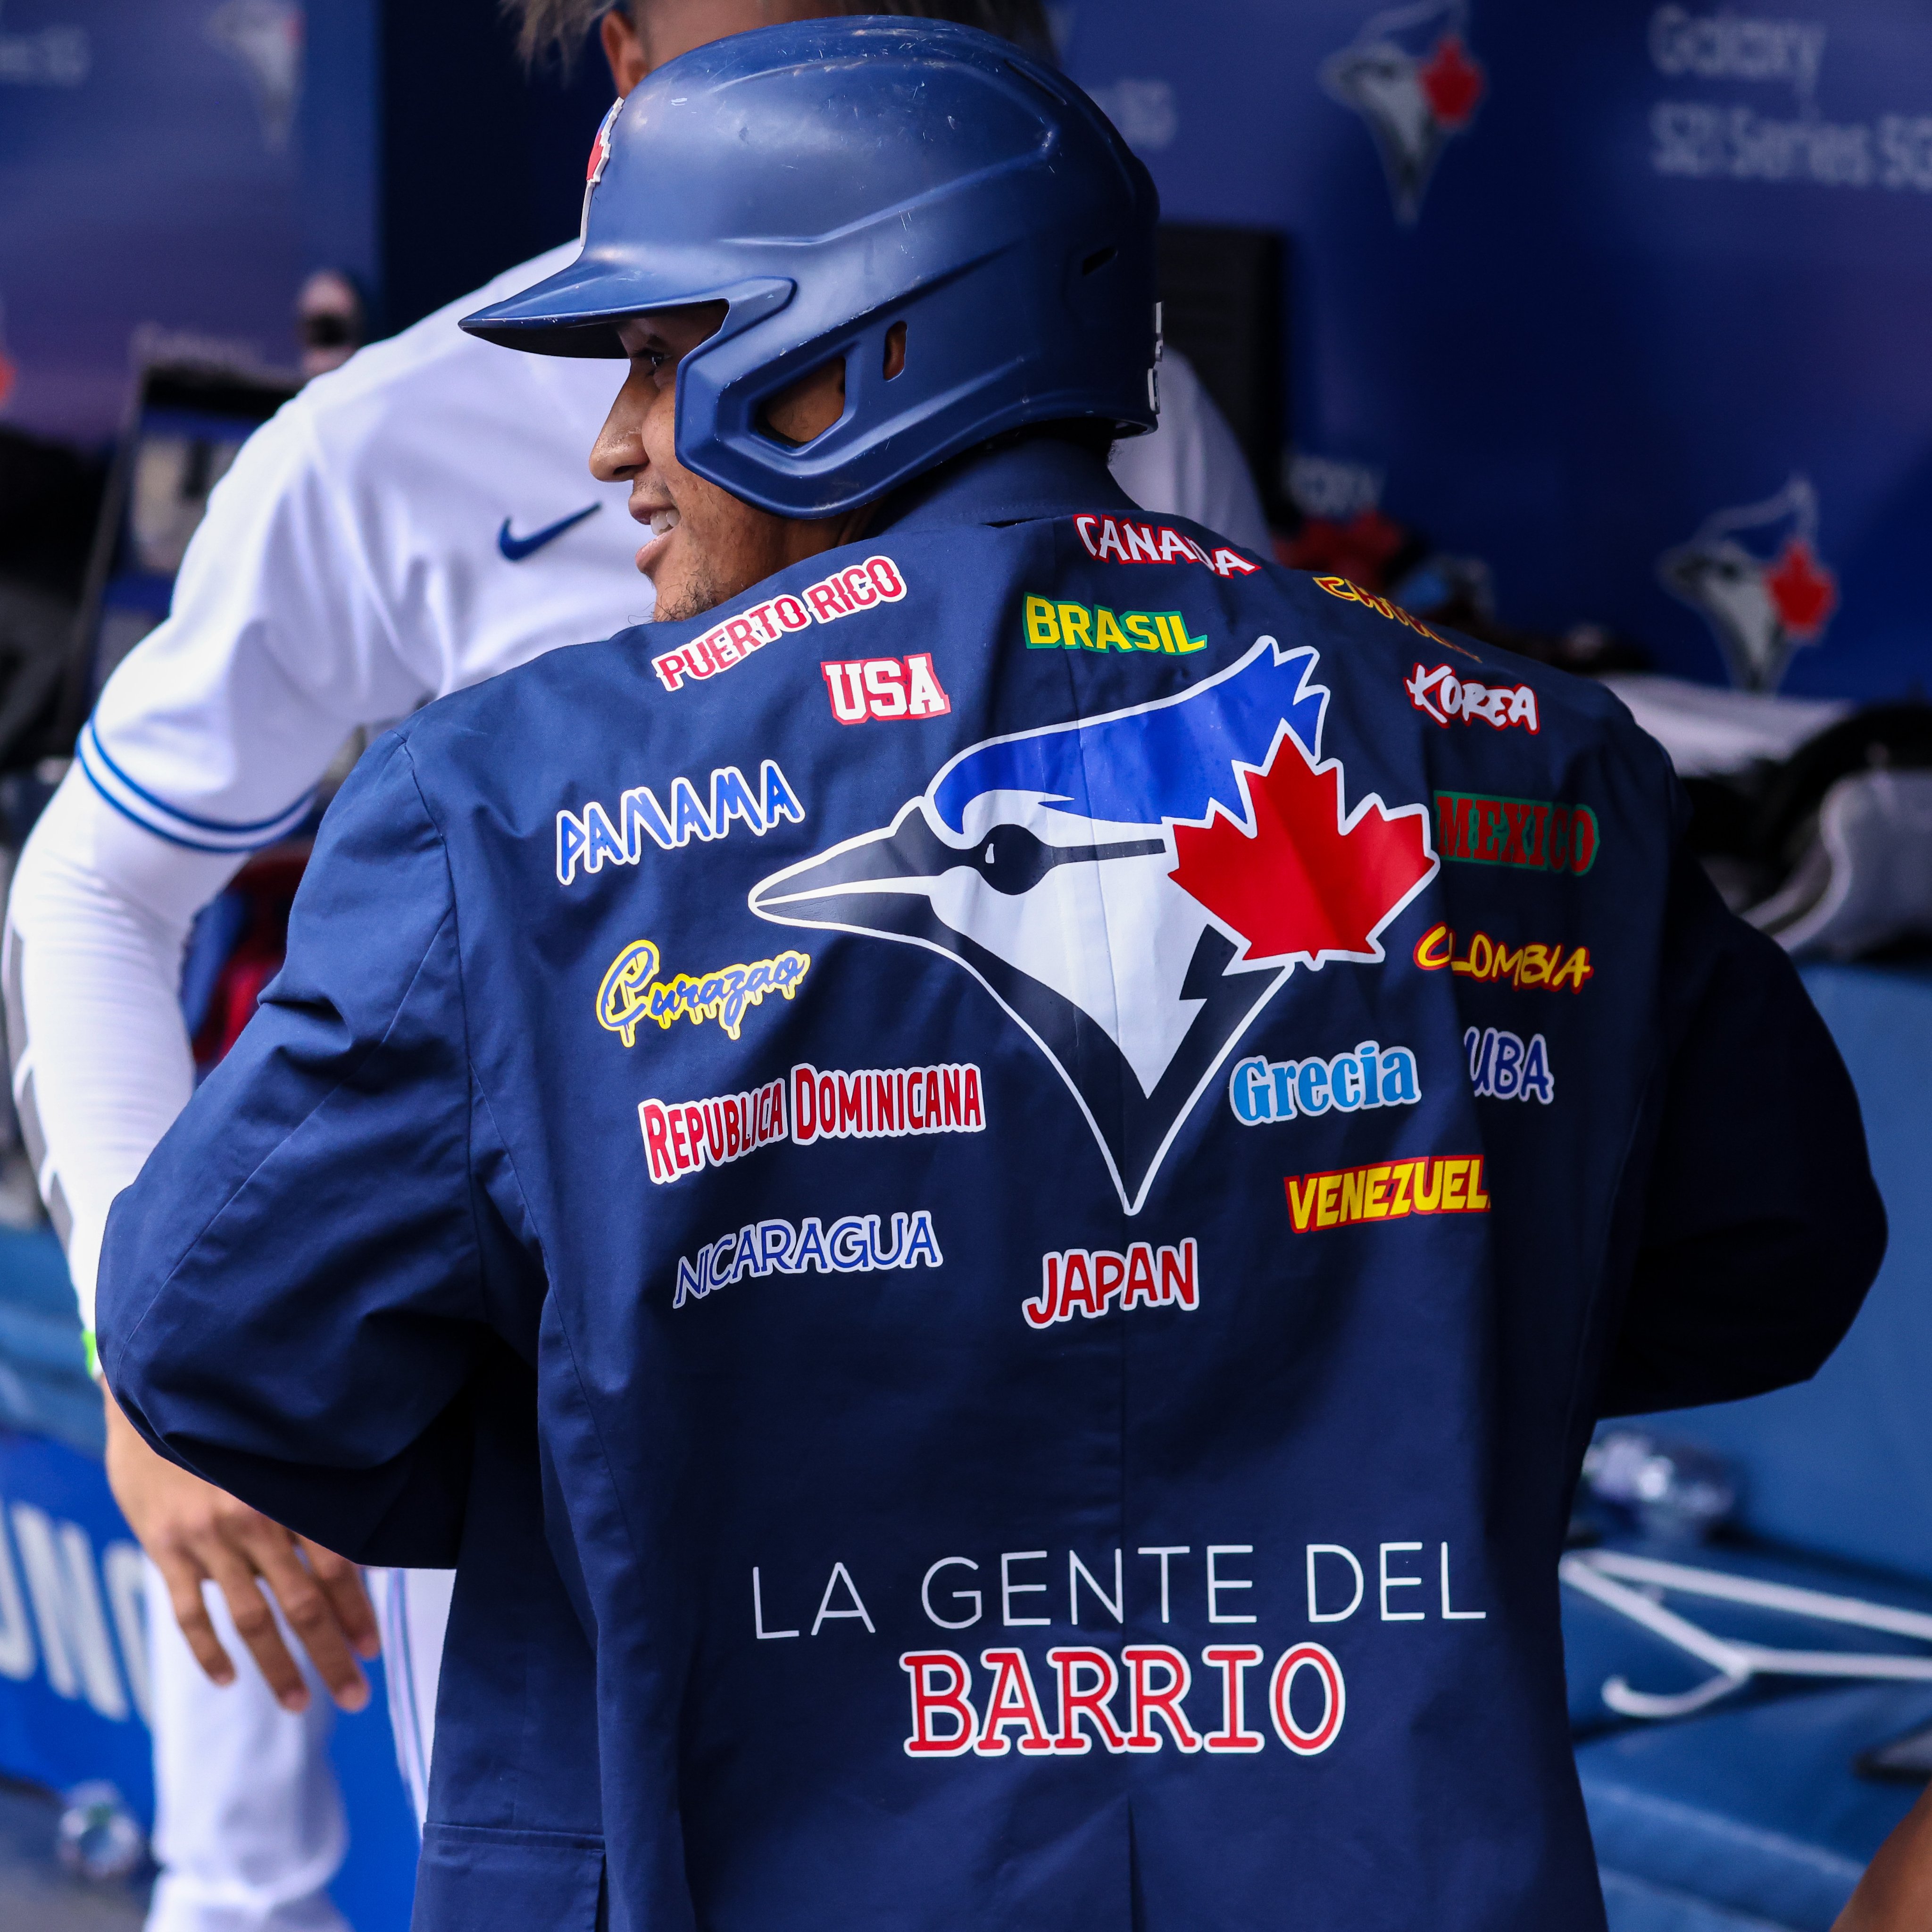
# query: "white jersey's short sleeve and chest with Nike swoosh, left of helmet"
414,523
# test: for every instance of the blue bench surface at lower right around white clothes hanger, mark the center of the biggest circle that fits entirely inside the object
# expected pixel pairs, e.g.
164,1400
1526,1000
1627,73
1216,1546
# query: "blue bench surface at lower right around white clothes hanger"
1753,1807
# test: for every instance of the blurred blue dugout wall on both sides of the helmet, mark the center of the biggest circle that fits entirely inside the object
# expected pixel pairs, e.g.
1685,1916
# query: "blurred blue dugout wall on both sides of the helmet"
1572,287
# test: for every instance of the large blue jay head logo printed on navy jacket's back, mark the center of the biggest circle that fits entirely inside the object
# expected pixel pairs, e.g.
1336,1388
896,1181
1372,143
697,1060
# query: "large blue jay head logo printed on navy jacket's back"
1137,888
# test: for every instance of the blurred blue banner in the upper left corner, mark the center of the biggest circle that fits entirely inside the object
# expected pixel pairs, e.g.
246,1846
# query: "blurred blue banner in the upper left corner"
148,183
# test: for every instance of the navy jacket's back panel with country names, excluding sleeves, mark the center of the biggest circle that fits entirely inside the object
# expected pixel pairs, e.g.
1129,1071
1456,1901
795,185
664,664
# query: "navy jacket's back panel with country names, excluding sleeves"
1073,1106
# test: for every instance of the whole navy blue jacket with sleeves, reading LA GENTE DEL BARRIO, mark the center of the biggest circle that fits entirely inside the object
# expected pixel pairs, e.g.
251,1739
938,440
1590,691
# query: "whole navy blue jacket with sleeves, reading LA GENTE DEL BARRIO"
988,1199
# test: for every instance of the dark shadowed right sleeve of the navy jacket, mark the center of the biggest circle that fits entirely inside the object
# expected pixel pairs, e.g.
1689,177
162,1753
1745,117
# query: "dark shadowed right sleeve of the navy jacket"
1761,1226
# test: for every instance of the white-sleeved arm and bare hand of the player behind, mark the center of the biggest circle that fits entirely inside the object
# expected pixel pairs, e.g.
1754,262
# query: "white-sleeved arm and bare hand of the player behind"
206,745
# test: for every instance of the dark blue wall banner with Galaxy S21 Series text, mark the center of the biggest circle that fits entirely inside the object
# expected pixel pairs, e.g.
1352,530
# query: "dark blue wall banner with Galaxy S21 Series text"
1626,300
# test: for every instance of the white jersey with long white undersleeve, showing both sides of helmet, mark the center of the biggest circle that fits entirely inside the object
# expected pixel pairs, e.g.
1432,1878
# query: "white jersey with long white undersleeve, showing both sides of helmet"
411,525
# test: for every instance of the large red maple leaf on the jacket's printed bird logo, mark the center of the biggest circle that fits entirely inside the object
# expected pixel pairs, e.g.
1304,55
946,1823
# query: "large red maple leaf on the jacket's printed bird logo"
1303,884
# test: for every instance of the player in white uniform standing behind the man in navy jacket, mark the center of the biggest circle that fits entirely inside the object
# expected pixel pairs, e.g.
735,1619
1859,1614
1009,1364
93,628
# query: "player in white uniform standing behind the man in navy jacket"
407,528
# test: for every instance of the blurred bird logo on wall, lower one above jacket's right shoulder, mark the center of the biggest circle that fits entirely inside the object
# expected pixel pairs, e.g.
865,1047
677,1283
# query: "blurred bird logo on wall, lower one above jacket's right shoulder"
1767,598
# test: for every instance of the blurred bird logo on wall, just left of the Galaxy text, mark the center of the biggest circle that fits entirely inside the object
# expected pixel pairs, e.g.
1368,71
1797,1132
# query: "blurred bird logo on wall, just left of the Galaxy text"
1409,74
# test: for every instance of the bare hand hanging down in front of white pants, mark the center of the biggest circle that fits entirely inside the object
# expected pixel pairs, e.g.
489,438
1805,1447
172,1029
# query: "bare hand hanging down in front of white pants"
198,1533
